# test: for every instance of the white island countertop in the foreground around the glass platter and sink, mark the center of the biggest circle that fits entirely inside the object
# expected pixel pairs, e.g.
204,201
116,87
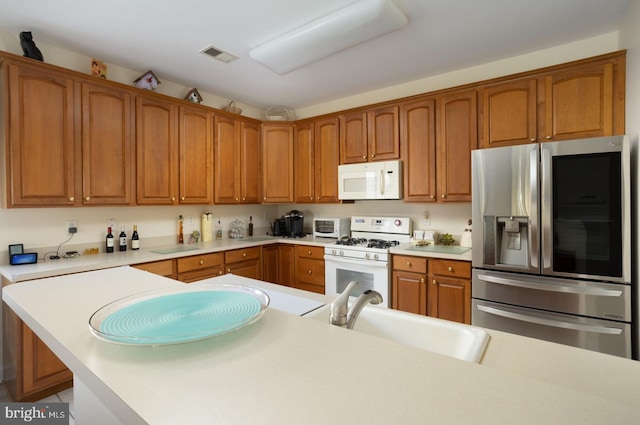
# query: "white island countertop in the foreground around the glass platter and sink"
286,369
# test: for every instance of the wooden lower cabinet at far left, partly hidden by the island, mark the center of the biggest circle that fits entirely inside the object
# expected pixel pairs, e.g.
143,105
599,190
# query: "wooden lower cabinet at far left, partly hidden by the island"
31,370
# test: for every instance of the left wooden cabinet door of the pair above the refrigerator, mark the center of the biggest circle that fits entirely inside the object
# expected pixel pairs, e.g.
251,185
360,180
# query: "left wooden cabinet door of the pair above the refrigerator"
508,114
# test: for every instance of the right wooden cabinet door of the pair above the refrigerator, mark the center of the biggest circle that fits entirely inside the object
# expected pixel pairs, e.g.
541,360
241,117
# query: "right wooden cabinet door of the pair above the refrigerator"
579,103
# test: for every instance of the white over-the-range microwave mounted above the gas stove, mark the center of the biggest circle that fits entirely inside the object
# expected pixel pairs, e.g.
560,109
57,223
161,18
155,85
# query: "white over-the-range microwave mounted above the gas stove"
370,180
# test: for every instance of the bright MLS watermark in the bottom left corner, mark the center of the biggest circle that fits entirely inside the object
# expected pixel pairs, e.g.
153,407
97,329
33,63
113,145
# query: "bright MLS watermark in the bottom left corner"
34,413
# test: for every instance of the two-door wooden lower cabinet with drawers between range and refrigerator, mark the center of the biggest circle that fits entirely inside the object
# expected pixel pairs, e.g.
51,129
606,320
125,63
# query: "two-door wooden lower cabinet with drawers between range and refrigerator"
434,287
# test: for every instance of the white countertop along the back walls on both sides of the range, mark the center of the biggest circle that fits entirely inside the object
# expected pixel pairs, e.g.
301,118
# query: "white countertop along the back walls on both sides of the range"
84,263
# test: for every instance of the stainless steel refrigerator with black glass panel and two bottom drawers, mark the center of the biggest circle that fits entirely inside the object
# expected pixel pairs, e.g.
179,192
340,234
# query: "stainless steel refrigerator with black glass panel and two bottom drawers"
551,242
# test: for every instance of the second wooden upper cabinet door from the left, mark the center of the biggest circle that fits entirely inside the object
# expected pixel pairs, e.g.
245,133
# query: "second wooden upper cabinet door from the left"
107,145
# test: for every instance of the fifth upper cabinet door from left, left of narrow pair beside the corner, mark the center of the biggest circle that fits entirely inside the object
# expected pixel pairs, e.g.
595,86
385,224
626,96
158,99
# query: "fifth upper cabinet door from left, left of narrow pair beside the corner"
227,160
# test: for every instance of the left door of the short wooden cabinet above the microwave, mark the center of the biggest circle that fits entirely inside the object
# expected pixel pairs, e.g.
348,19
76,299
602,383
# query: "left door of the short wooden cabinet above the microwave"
353,138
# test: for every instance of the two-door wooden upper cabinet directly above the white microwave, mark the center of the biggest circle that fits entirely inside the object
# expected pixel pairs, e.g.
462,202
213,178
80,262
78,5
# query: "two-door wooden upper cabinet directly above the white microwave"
371,135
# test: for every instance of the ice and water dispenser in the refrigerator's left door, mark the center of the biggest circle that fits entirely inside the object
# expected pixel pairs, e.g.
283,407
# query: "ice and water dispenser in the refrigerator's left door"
506,241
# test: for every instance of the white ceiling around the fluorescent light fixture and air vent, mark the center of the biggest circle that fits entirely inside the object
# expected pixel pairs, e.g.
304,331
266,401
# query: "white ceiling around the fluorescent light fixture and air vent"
166,36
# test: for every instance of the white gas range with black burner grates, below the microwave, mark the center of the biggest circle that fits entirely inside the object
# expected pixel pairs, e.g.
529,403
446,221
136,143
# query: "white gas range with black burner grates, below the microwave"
365,255
